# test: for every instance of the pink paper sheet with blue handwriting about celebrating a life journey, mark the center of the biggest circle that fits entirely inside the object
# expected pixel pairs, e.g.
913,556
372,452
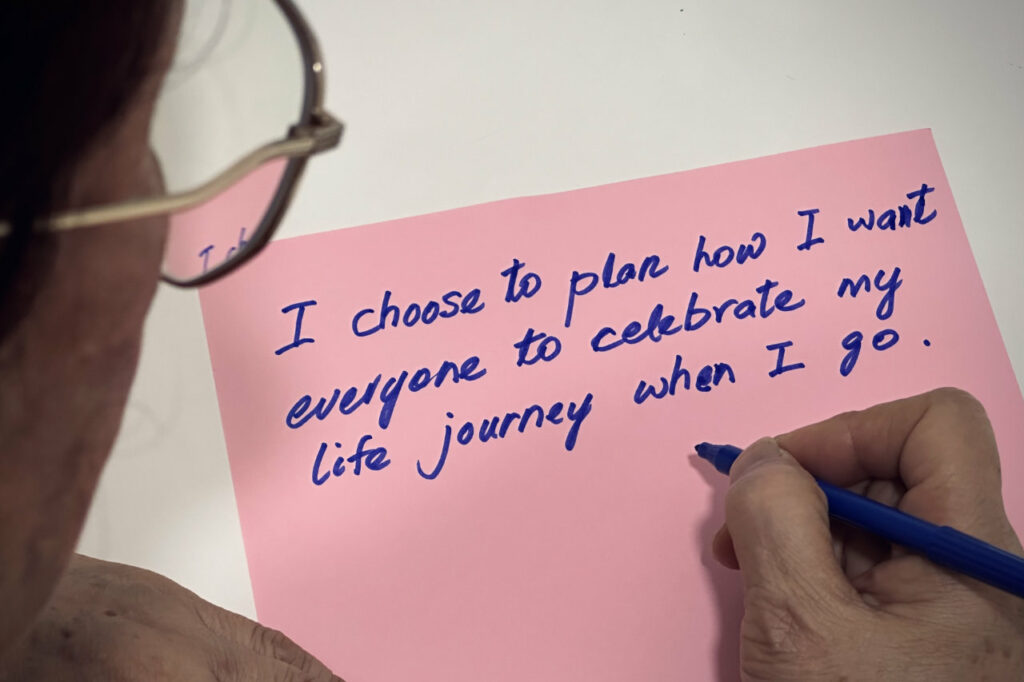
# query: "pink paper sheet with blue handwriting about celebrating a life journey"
522,560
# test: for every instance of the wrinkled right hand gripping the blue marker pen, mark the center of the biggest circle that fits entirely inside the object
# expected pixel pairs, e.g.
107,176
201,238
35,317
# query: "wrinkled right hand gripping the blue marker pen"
833,604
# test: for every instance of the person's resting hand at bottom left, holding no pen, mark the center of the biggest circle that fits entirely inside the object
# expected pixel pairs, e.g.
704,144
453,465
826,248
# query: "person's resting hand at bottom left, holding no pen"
112,622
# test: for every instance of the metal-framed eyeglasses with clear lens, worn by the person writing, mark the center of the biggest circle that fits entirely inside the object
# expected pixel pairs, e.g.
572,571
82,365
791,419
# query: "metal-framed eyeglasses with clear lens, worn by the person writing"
222,223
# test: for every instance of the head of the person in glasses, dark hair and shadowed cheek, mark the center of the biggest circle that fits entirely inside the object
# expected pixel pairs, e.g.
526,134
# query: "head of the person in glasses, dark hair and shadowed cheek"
80,79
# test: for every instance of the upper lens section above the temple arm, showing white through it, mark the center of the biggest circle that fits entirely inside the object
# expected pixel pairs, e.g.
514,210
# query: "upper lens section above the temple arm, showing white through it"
236,84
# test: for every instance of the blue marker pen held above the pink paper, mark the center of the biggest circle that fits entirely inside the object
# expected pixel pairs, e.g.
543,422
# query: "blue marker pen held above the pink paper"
948,547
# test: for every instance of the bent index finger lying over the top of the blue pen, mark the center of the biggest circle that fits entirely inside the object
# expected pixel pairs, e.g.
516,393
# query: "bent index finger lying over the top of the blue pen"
940,444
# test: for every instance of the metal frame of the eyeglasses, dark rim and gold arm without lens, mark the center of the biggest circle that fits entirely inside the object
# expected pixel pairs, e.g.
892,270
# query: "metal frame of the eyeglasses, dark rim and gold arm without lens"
316,132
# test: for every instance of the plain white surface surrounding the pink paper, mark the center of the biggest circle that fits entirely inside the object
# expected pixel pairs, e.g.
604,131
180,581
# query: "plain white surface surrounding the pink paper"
452,103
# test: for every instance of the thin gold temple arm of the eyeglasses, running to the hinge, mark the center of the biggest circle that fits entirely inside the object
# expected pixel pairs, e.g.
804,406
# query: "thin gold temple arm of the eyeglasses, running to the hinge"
324,134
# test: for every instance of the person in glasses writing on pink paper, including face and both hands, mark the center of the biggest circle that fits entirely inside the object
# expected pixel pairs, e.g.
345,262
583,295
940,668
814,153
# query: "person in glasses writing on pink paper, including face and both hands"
80,80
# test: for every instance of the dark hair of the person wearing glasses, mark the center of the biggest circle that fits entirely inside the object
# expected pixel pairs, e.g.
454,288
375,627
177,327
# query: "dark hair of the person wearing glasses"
68,69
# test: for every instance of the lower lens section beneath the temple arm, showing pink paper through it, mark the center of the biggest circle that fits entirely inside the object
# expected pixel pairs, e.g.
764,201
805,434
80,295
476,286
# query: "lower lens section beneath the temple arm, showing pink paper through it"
221,232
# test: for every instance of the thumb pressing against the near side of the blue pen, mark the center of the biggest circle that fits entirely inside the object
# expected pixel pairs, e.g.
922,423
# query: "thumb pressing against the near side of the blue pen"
779,521
